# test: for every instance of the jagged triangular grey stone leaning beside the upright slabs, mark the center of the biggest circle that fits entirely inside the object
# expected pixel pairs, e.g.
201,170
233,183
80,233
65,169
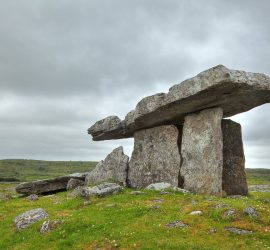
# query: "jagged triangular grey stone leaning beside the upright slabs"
113,168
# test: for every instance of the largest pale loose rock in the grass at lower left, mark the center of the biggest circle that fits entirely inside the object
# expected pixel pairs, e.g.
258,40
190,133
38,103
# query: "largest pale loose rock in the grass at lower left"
26,219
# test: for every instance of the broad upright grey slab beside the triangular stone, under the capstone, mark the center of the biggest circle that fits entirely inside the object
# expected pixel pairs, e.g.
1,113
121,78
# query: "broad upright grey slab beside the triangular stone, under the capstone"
155,157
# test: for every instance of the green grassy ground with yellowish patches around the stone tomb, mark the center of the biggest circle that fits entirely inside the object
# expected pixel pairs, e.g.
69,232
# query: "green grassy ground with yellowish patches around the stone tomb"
125,221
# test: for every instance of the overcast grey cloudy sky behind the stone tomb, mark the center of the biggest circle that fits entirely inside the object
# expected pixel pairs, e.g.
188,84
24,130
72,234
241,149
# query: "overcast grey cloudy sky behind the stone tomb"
66,64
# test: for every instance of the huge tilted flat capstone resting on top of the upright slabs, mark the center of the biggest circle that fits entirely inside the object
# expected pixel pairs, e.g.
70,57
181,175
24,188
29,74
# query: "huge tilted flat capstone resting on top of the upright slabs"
232,90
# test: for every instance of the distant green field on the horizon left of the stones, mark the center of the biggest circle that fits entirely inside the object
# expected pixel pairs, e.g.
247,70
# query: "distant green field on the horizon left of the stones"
27,170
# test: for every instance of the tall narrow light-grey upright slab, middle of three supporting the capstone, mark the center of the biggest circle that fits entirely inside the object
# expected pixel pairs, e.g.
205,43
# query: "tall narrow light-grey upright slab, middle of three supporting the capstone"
201,151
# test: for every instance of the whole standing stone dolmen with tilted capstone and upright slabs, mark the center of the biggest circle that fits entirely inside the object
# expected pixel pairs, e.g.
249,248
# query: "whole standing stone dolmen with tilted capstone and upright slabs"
182,138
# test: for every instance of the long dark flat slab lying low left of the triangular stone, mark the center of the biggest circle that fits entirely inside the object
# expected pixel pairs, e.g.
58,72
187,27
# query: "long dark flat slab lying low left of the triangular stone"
46,186
